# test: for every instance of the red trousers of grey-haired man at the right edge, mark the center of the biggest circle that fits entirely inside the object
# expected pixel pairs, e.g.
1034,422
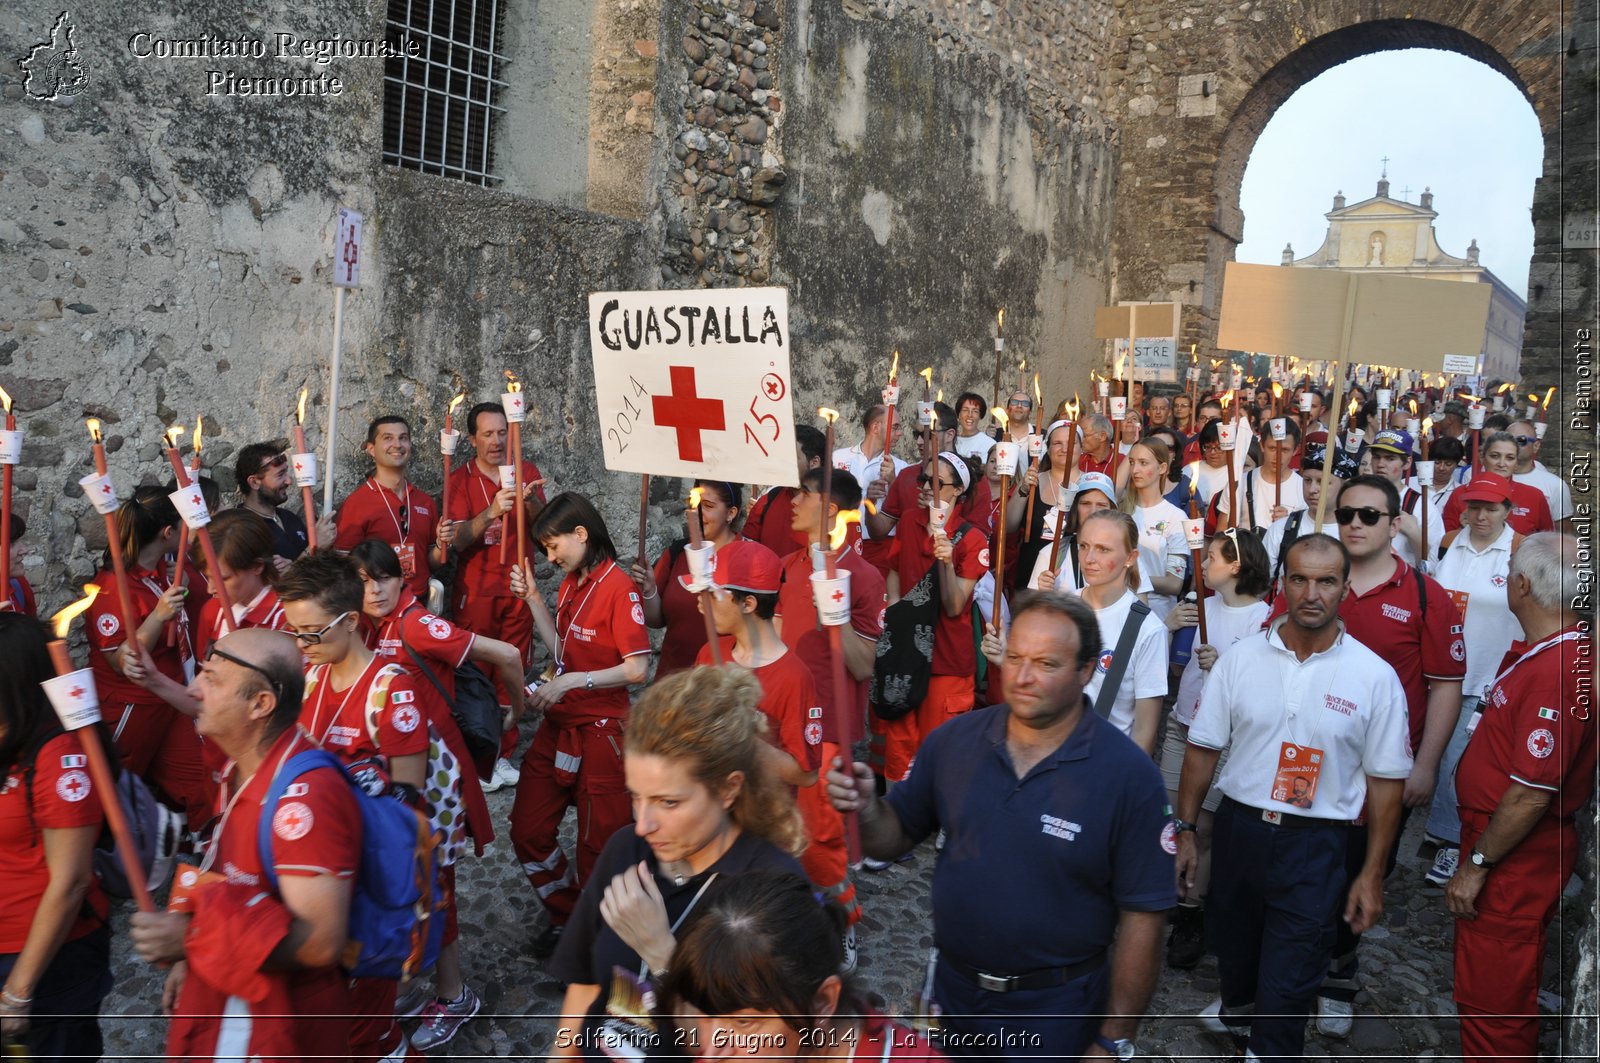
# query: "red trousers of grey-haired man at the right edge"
1502,953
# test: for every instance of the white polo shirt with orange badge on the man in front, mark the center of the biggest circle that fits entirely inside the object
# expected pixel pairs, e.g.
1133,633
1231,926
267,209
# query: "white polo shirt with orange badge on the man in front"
1346,702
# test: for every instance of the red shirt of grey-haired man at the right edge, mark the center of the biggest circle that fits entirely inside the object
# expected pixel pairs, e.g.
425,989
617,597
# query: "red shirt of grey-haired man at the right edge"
1537,729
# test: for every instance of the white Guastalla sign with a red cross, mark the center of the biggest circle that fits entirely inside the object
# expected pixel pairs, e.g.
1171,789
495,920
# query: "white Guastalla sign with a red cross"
695,383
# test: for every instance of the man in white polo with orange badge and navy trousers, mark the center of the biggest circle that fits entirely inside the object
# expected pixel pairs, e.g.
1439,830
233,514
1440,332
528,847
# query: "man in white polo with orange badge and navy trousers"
1294,705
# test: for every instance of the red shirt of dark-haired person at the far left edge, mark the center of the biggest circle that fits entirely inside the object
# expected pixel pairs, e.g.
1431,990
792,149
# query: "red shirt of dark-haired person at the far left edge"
63,798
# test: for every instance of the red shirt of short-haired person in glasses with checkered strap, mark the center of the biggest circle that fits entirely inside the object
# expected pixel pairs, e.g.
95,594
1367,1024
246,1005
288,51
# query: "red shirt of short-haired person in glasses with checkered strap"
362,723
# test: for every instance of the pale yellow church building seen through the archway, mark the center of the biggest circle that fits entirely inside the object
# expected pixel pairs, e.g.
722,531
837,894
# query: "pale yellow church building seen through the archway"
1386,235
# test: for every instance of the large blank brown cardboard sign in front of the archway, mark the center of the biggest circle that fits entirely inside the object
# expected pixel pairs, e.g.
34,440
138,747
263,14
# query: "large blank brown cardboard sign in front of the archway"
1399,323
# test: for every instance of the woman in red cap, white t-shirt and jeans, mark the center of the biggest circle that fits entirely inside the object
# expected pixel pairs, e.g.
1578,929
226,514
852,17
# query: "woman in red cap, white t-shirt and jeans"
1474,568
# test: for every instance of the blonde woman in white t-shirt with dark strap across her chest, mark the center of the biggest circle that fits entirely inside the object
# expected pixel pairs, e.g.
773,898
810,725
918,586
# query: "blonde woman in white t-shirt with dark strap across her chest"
1110,556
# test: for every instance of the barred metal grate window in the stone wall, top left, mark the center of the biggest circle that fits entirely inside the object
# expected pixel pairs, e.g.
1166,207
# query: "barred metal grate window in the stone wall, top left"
441,106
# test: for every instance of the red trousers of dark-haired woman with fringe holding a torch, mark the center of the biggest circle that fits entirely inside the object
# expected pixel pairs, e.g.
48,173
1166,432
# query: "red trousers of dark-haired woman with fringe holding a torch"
598,790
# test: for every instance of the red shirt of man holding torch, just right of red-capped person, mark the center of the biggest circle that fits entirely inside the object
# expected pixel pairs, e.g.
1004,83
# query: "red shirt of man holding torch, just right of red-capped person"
809,641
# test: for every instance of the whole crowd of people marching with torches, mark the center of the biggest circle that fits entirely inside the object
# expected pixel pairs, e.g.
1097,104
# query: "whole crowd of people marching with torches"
1172,652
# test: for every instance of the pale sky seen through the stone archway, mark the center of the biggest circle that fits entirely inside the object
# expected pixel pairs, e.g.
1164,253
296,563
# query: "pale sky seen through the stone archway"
1444,121
